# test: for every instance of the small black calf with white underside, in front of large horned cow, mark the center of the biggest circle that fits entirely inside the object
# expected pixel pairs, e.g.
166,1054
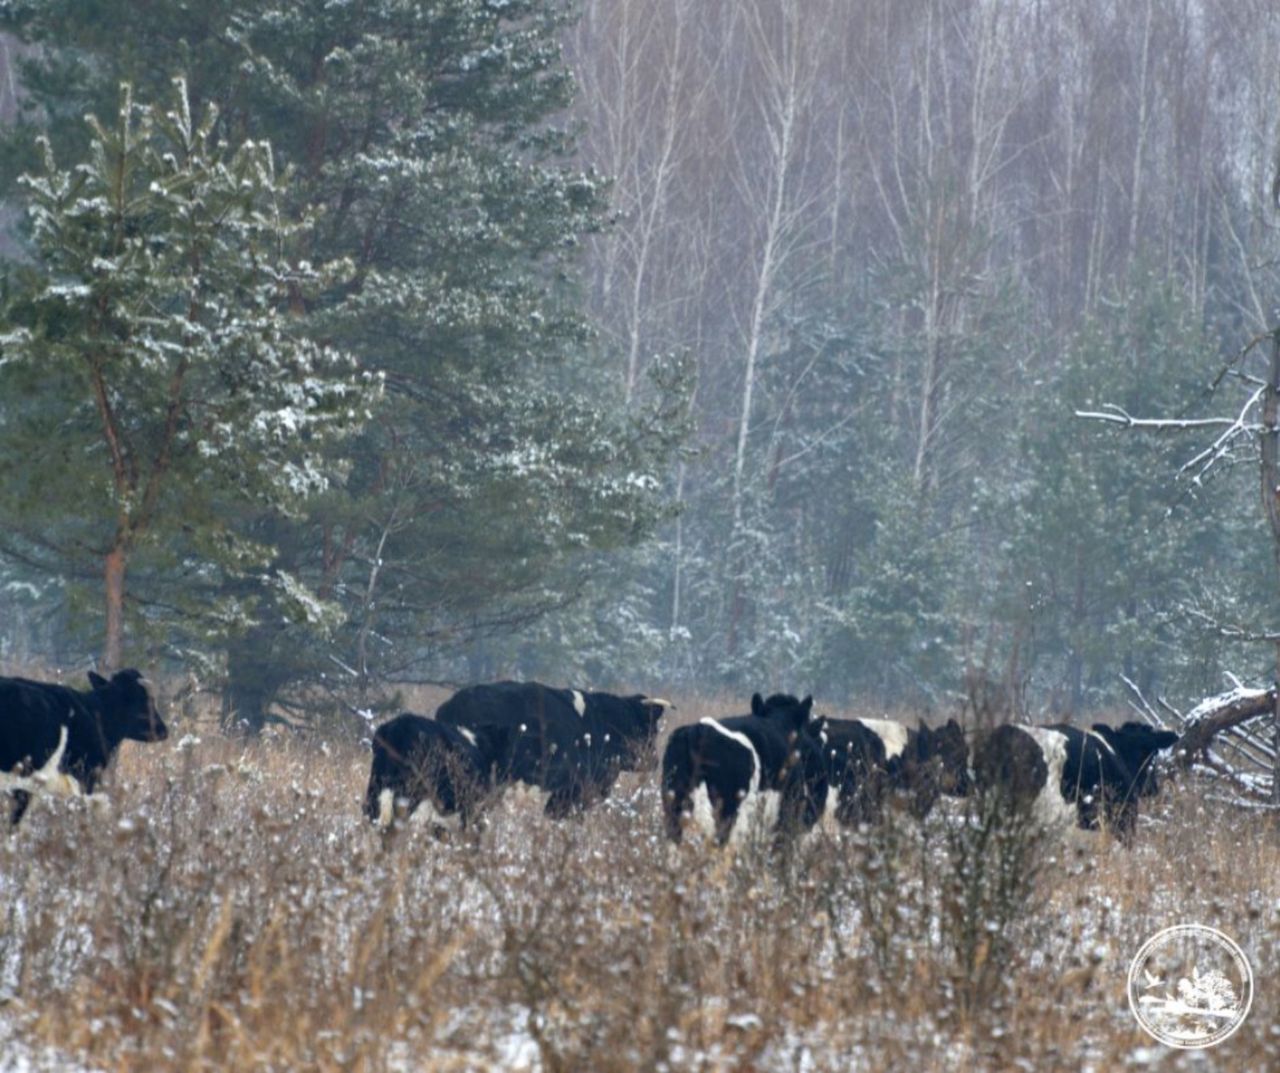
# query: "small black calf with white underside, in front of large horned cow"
419,761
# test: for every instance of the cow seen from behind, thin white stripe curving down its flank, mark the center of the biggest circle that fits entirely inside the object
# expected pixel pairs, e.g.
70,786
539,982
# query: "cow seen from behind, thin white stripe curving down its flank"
746,777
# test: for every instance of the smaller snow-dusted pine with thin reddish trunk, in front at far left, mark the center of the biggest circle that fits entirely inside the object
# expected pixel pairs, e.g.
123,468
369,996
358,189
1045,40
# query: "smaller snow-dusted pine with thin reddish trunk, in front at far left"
154,381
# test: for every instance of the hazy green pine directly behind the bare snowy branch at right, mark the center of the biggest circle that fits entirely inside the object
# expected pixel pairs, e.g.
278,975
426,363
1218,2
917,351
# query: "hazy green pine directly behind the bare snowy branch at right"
1110,563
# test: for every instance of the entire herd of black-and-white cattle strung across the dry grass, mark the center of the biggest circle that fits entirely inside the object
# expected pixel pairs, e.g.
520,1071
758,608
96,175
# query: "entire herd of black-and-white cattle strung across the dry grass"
780,770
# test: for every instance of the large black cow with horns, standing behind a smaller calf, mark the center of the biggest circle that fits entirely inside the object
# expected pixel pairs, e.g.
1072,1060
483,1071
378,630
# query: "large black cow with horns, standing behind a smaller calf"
569,743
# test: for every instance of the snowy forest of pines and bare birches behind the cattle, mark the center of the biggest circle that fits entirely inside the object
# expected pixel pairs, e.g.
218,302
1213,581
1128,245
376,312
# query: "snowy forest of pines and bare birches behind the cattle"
642,344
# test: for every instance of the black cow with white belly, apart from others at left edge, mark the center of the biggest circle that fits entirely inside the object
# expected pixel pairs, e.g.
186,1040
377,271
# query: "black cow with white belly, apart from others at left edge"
57,739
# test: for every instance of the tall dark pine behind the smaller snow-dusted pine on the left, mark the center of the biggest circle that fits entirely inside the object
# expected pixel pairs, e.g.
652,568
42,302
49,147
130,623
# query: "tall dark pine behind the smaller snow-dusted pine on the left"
426,143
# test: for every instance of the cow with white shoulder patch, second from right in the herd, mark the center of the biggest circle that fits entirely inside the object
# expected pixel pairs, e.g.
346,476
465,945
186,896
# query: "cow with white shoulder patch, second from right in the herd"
868,759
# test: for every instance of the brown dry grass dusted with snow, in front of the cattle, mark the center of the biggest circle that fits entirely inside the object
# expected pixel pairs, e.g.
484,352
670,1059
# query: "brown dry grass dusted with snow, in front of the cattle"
232,911
